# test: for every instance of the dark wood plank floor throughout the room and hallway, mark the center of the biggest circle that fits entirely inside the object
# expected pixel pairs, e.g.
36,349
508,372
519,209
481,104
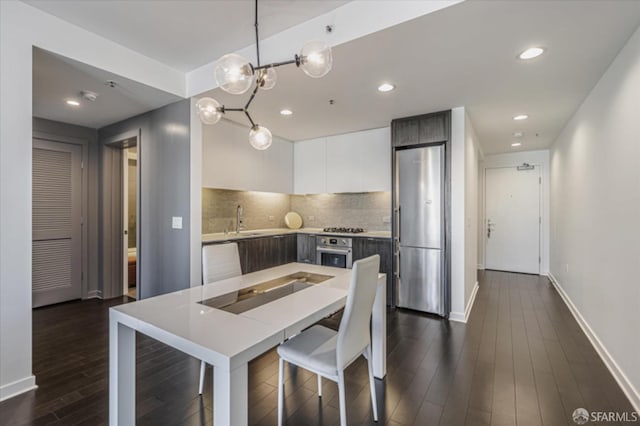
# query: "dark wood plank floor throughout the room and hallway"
521,360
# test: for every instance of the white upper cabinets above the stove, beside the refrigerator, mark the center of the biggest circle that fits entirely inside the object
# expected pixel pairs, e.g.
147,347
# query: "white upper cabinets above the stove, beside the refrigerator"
351,162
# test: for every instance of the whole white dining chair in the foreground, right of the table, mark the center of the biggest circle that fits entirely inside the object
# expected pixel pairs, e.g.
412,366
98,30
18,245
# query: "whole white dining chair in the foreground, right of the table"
326,352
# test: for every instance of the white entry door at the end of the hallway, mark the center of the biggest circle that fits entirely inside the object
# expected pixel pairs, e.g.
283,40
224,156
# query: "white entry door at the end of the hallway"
512,226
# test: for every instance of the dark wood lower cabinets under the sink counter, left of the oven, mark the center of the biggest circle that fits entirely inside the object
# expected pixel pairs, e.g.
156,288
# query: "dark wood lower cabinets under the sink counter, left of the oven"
261,253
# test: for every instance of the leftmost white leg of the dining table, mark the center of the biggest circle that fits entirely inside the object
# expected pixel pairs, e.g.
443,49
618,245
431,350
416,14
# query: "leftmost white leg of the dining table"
122,374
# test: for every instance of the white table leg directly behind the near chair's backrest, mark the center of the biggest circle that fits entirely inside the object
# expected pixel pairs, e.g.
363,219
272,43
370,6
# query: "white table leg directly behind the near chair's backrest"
379,330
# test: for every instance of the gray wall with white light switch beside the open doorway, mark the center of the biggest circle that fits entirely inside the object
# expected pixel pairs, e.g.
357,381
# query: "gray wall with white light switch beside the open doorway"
163,160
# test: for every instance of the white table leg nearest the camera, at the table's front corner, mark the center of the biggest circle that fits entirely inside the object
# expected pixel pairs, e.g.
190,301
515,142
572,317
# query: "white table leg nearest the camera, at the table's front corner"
230,396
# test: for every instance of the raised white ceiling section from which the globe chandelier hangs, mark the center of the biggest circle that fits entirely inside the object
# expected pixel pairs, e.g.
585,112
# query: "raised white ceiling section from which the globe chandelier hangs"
184,34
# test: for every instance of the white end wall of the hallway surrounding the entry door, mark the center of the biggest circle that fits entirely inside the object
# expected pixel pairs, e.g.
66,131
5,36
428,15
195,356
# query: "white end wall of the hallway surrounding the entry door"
538,158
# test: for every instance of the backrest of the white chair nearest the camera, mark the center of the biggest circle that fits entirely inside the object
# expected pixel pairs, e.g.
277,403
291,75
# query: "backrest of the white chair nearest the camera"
354,334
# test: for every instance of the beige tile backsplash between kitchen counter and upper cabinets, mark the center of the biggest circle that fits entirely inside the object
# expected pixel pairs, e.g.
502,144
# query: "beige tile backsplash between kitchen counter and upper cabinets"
266,210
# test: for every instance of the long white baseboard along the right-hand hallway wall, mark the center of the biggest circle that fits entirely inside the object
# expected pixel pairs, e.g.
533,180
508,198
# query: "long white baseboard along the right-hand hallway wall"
623,381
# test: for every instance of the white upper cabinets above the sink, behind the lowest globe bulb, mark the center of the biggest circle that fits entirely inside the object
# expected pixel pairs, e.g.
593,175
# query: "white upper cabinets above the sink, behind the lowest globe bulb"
229,161
